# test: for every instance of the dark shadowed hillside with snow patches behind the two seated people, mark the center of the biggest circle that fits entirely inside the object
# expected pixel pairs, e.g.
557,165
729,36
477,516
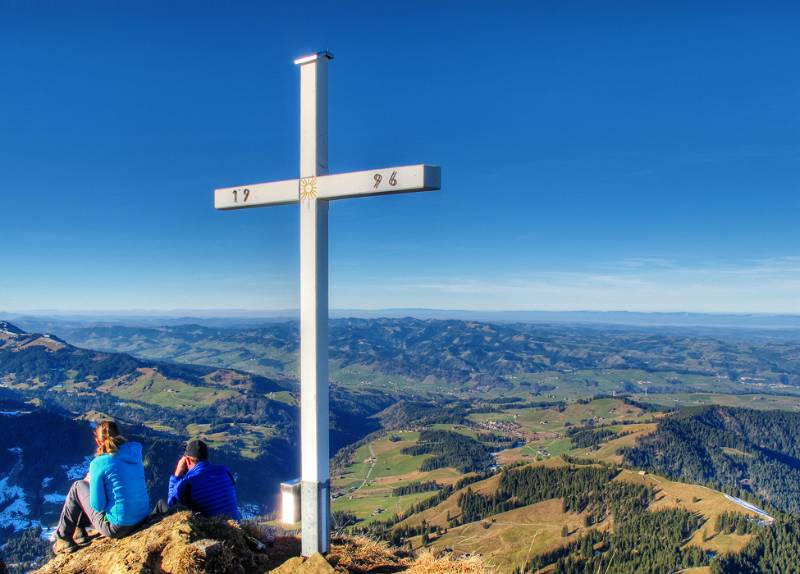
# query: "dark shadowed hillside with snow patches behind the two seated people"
51,391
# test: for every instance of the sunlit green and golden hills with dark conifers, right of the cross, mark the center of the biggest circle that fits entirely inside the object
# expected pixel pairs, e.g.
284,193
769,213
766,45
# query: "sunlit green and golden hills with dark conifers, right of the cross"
567,487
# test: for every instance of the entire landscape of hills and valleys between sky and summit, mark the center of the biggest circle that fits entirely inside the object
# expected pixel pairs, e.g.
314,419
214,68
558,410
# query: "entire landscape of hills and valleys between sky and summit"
543,448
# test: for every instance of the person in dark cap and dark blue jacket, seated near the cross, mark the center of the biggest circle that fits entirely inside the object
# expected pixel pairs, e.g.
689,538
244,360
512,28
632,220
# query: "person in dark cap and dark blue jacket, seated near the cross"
201,486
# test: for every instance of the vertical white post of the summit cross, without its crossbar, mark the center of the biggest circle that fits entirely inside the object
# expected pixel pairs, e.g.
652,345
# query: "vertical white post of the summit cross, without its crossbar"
314,416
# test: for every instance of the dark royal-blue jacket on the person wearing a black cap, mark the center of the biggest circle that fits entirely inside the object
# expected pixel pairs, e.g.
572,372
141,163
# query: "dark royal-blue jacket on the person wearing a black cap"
208,489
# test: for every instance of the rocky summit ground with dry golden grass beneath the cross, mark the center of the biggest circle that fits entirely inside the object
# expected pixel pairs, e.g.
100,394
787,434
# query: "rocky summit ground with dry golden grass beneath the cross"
187,544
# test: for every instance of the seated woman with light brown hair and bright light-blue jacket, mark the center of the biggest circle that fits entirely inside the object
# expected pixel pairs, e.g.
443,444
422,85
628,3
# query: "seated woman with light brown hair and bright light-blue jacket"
112,498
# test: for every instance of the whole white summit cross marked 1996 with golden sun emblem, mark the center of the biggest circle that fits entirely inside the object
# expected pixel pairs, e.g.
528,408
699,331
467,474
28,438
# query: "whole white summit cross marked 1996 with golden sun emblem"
312,191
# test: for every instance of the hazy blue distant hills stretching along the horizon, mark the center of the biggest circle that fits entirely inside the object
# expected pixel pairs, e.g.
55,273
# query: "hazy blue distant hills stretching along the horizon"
457,352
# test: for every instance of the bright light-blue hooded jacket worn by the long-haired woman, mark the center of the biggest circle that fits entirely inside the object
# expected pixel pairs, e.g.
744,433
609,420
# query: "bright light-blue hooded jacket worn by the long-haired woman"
117,486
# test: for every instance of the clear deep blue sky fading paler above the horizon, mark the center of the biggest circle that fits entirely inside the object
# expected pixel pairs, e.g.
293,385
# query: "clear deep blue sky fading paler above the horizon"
598,155
